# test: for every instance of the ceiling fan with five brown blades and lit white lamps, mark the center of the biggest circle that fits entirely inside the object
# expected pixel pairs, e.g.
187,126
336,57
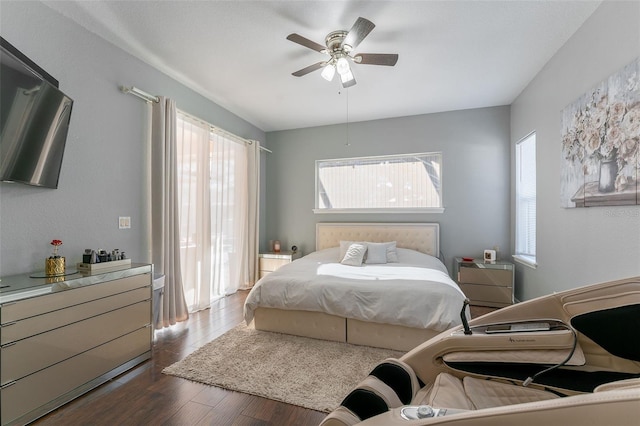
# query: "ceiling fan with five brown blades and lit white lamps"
339,47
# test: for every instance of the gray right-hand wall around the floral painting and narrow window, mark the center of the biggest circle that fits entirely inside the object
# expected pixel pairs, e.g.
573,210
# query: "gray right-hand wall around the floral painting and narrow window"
576,247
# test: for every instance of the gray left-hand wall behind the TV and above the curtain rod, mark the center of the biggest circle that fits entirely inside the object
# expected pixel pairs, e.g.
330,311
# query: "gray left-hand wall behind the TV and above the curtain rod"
103,173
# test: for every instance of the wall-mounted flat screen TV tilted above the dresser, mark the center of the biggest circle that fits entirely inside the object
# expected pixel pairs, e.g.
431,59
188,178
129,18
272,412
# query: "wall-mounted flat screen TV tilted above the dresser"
34,121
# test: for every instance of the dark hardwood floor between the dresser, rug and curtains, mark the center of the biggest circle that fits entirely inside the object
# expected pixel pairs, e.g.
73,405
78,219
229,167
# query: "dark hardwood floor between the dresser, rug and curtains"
145,396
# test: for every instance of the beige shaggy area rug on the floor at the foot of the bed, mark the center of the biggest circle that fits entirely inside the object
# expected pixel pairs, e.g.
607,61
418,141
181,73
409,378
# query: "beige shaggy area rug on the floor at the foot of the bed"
310,373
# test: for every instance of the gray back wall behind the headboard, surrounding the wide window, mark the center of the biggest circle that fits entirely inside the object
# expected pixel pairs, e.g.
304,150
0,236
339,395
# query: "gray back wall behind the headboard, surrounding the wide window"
475,147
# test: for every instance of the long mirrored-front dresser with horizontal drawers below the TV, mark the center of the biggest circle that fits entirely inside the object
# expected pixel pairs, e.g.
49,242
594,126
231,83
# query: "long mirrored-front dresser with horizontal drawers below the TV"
61,337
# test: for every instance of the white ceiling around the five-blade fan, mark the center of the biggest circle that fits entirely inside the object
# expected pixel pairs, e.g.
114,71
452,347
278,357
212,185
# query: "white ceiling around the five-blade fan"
453,54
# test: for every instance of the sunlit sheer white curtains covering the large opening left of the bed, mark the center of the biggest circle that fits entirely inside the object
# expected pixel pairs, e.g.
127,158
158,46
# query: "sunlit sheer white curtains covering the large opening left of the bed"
218,216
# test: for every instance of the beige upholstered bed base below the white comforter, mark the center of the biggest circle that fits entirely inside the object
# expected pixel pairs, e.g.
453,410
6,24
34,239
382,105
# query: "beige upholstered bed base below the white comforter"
319,325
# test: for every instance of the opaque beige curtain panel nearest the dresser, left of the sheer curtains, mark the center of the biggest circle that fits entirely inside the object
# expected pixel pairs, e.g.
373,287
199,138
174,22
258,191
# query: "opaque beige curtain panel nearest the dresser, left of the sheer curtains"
165,238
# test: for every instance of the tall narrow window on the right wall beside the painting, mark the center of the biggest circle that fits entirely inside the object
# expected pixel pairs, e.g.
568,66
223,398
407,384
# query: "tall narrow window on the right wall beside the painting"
526,200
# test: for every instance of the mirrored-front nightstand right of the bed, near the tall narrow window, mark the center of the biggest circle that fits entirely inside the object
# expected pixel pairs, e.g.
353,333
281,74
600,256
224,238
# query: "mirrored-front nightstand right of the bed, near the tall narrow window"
485,284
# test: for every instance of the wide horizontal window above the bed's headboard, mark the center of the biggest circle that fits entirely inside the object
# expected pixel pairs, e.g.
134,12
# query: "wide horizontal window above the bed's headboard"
398,183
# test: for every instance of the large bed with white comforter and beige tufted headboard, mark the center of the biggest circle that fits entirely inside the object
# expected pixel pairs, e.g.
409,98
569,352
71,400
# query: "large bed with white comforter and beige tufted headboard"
372,304
